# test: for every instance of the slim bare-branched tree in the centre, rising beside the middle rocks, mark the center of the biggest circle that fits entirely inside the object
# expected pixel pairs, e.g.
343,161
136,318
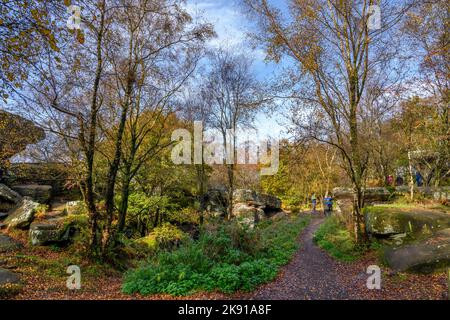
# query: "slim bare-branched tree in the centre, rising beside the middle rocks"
233,95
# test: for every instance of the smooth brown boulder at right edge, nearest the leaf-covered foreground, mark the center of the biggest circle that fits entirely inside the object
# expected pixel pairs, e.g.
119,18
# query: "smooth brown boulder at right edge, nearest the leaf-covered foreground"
428,256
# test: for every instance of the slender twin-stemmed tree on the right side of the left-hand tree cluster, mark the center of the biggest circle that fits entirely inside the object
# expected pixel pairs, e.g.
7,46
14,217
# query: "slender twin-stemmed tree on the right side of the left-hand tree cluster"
146,75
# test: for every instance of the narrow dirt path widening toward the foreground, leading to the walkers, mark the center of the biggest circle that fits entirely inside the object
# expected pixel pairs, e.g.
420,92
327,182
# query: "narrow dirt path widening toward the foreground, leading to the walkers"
310,275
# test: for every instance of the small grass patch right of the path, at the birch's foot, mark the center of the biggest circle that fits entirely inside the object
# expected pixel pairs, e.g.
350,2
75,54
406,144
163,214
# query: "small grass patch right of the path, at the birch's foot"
333,237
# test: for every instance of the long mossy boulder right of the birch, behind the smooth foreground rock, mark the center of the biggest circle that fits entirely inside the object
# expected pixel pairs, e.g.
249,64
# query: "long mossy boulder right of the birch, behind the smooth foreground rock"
382,220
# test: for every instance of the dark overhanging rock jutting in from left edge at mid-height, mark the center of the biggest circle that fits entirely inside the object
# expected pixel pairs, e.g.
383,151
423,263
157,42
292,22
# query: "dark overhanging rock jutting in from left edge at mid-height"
15,134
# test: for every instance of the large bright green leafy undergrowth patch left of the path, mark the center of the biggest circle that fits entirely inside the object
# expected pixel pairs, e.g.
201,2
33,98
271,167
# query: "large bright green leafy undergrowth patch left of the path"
226,258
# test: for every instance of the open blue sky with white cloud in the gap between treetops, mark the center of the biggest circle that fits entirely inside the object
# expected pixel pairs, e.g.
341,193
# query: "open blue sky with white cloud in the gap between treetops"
232,27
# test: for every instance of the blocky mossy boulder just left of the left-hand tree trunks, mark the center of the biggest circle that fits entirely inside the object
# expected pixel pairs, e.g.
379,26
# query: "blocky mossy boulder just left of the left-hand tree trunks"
54,231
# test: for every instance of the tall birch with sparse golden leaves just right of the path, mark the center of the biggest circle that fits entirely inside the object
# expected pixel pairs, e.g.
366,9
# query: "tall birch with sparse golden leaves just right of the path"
337,54
